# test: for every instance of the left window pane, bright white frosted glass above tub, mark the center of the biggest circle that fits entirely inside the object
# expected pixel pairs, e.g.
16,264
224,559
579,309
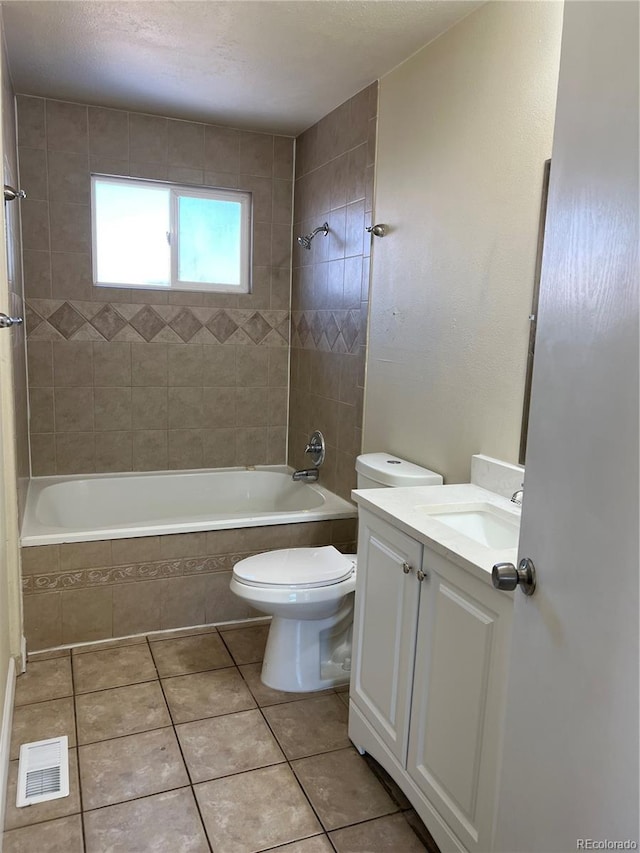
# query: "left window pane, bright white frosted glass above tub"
131,229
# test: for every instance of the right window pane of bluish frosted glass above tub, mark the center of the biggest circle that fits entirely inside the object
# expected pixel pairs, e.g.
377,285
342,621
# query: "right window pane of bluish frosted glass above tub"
209,240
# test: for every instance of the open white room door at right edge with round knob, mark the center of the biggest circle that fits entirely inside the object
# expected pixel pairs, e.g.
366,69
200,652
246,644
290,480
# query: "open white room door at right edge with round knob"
570,767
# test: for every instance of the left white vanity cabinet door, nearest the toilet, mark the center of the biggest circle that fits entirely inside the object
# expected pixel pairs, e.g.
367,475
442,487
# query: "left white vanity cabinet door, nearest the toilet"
384,631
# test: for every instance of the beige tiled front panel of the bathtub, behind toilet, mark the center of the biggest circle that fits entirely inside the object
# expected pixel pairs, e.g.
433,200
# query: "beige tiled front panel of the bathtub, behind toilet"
76,593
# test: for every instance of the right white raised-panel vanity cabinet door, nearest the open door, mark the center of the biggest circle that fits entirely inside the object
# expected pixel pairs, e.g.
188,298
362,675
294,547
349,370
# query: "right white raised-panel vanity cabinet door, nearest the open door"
456,715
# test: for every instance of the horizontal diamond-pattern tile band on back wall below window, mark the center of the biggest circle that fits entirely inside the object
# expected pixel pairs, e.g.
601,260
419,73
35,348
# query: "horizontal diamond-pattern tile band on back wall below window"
64,320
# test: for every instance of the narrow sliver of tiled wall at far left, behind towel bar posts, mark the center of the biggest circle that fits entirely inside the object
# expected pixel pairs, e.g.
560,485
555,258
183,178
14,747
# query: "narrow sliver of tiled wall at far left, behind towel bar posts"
16,307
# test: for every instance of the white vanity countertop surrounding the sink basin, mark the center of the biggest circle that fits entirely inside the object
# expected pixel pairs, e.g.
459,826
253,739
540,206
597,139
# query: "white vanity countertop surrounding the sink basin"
402,507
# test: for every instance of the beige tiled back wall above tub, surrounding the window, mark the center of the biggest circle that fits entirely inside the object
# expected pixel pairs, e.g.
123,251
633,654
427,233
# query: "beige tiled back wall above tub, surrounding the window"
133,379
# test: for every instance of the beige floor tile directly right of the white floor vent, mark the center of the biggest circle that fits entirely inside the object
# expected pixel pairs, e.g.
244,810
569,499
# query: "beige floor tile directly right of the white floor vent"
114,771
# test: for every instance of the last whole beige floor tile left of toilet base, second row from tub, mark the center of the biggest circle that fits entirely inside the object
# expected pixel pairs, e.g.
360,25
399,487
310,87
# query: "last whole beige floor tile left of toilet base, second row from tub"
206,694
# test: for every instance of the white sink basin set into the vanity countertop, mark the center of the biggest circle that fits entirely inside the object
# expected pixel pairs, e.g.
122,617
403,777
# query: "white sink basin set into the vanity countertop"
486,524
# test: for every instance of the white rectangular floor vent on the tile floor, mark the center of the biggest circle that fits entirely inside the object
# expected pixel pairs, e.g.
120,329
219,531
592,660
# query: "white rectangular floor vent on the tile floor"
43,771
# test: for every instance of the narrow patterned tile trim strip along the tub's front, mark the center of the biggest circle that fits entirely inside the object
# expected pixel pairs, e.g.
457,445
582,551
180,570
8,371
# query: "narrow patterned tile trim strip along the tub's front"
111,575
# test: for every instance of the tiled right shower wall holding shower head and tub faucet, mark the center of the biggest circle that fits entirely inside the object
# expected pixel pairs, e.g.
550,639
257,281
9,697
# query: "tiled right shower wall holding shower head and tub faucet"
334,183
